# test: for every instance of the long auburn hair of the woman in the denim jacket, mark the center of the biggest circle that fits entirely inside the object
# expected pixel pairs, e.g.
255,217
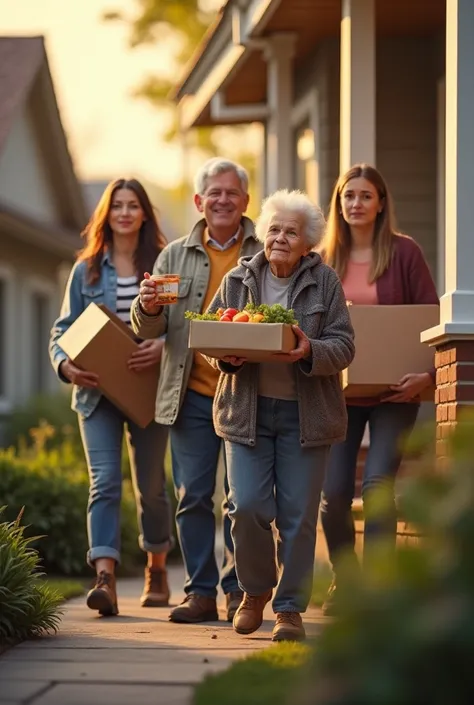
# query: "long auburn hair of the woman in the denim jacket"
99,236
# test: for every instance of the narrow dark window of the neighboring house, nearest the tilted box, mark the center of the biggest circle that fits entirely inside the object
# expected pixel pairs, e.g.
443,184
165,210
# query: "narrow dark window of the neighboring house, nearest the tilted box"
40,339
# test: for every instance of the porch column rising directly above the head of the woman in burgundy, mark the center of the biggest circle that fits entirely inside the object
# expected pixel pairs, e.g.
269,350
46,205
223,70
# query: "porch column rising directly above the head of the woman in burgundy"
357,119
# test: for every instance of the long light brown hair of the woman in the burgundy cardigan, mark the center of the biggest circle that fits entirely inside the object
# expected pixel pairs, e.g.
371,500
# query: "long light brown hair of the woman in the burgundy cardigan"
336,244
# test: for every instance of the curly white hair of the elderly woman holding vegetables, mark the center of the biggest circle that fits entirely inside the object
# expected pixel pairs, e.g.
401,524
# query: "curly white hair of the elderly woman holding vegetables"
296,202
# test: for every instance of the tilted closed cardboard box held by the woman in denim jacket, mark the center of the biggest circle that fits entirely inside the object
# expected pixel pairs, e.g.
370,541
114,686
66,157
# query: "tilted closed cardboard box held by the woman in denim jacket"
99,341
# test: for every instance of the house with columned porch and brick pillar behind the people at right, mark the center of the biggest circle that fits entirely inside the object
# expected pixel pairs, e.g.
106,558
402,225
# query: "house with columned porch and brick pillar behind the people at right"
335,82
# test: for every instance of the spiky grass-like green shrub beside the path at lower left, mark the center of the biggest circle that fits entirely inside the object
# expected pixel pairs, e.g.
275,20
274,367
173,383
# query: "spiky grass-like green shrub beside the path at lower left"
28,607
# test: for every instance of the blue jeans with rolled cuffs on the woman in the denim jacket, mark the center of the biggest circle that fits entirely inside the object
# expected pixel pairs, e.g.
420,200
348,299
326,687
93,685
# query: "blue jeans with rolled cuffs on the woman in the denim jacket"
102,436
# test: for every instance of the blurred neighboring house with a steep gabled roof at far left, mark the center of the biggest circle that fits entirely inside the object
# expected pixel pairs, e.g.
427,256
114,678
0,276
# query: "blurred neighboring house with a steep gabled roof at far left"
42,211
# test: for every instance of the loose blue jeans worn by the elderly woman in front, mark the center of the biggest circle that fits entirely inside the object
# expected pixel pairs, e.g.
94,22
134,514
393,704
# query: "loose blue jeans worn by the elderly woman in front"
276,480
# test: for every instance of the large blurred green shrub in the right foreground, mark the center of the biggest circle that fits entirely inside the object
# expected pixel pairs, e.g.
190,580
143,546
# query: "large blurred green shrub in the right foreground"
406,630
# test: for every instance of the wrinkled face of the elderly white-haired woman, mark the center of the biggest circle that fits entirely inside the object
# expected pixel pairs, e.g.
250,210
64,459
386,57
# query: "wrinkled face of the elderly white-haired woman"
285,242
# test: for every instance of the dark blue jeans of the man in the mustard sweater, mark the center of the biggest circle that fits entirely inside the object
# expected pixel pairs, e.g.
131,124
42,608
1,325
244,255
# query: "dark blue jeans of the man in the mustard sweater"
195,450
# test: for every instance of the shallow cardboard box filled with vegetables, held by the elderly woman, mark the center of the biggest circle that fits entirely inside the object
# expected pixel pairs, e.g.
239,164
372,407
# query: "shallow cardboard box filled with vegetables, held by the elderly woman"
255,341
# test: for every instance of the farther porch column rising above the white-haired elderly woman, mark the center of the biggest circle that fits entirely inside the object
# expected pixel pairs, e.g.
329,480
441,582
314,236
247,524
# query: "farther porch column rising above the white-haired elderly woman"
279,54
